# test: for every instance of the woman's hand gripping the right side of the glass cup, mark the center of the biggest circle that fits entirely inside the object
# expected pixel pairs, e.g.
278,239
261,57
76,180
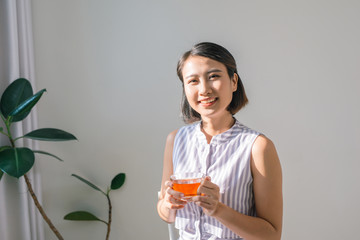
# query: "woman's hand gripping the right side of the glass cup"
208,198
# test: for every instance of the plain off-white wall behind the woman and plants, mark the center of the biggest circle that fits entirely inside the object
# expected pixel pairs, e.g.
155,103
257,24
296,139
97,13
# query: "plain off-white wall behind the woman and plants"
109,68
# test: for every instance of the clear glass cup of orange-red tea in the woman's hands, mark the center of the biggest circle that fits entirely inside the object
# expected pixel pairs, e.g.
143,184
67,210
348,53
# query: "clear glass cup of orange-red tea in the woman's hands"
187,183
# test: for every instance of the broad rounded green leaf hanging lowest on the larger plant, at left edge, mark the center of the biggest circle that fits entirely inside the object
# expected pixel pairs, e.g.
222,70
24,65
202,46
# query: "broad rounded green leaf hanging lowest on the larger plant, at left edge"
16,161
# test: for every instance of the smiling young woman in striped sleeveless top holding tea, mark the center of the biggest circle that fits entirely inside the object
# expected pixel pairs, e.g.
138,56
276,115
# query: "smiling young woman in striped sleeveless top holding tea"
241,195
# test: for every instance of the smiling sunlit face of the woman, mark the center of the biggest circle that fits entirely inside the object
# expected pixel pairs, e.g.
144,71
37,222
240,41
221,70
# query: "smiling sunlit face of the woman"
208,87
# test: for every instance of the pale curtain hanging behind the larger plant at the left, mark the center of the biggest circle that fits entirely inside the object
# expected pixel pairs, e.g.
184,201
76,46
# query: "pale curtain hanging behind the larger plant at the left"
19,218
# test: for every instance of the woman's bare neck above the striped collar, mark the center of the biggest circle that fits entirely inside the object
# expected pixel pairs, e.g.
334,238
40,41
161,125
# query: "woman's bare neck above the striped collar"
214,126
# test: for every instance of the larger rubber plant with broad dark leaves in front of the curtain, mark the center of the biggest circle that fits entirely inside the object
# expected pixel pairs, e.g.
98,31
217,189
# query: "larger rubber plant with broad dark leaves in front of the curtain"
16,103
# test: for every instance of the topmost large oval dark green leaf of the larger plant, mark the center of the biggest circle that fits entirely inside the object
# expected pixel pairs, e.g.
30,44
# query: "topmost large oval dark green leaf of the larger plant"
17,92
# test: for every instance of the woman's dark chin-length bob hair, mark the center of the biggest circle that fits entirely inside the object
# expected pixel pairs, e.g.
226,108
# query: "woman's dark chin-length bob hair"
222,55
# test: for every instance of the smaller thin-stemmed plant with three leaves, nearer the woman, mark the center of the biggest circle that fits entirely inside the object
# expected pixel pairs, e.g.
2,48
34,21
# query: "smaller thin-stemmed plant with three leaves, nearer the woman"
116,183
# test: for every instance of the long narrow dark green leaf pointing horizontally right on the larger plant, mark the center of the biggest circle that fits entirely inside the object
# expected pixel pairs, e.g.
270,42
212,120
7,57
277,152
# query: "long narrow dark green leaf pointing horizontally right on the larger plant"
50,134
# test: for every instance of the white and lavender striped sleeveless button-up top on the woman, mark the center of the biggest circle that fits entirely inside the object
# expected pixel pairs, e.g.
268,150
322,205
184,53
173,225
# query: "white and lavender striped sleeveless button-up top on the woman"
227,161
